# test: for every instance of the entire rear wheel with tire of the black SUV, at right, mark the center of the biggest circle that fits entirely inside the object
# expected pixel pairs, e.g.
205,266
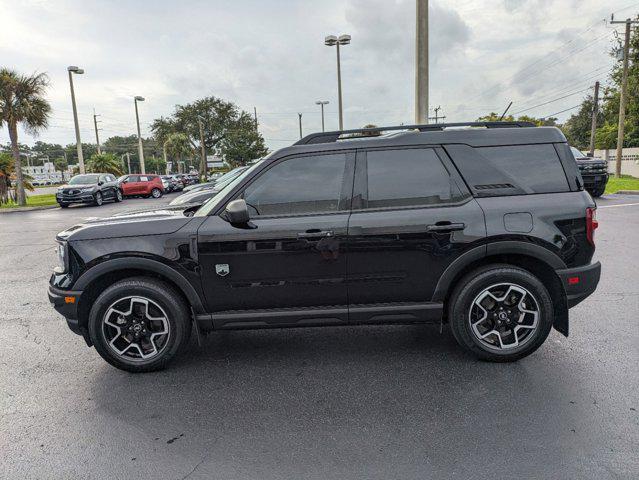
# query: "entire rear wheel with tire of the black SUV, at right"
500,313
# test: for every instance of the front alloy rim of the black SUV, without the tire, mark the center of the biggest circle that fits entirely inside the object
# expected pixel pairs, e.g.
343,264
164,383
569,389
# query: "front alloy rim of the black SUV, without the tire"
136,328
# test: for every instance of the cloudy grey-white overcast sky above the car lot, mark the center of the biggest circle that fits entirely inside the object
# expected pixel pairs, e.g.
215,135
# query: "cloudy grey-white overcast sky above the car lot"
270,54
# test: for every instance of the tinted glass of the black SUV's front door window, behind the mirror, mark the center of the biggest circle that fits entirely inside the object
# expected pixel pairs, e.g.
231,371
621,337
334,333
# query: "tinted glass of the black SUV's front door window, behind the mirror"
301,185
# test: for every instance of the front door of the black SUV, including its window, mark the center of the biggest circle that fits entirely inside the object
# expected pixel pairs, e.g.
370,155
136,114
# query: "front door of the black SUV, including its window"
290,267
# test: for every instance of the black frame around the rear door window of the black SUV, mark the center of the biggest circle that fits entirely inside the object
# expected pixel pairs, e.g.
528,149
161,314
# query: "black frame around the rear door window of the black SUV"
360,189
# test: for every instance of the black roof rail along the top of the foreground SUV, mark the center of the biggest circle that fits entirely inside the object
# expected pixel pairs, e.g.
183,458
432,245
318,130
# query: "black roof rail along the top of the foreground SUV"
331,137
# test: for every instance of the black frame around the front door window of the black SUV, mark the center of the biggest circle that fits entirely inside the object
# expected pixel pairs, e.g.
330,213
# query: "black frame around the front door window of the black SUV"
345,193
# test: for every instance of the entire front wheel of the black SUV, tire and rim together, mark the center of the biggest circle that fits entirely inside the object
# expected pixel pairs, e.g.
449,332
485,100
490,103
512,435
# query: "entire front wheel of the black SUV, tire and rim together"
139,324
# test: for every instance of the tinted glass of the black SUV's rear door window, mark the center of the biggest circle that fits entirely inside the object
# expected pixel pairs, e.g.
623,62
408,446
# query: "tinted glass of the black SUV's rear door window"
398,178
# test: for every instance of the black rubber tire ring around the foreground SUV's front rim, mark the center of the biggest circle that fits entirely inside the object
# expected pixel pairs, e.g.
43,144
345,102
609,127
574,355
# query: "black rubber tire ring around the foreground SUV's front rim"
159,293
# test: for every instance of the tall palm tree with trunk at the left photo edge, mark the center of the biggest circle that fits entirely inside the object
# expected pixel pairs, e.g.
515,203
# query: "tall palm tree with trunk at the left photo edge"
22,101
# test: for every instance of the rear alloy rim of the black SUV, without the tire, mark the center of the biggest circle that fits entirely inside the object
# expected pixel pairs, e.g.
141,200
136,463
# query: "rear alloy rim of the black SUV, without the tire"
504,316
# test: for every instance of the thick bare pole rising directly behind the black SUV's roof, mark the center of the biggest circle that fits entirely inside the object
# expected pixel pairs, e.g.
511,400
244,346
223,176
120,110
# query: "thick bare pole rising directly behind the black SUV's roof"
421,62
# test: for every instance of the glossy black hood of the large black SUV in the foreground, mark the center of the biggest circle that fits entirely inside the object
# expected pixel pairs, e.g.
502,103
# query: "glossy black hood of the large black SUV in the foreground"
160,221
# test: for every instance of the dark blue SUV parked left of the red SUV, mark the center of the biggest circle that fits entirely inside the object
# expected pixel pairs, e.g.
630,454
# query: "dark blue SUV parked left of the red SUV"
93,188
